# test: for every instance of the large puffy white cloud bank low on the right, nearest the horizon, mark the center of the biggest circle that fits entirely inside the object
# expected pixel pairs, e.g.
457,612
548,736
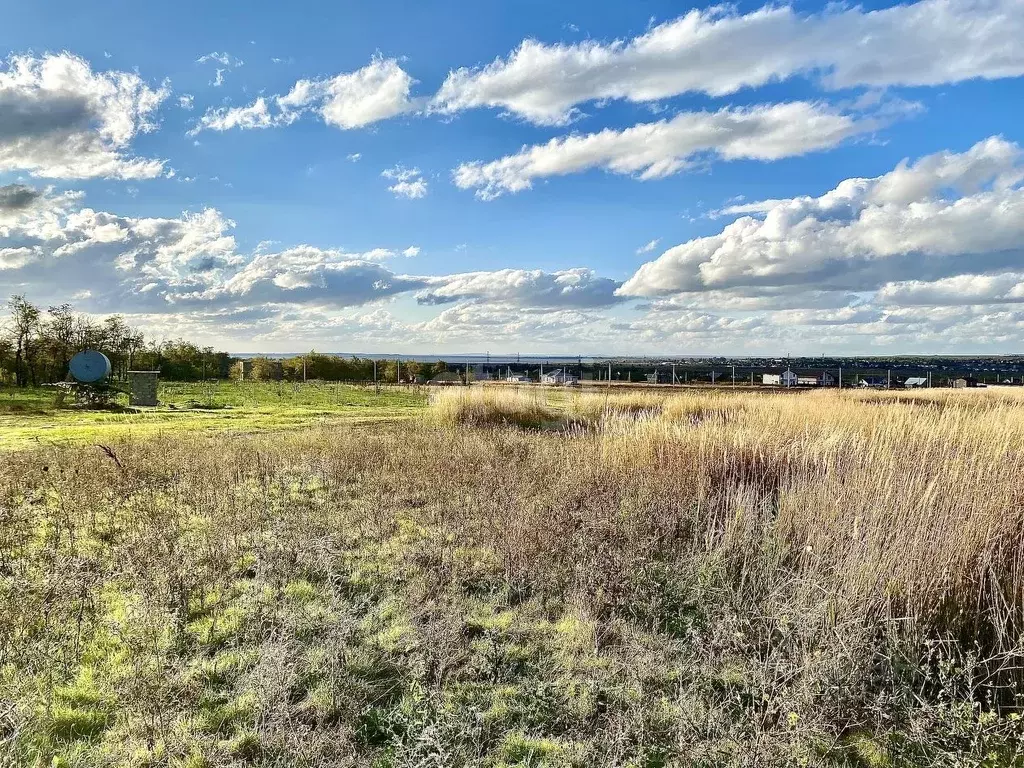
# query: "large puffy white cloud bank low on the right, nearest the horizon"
949,215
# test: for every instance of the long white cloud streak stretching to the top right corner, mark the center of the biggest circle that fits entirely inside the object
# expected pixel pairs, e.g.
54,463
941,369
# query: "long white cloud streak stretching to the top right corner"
720,52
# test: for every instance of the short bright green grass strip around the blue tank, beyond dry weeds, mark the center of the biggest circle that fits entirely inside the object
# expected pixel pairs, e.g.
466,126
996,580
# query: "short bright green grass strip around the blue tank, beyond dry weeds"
30,417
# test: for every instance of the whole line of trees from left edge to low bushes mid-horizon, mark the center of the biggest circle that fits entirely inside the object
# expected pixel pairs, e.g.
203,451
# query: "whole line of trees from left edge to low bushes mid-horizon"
37,345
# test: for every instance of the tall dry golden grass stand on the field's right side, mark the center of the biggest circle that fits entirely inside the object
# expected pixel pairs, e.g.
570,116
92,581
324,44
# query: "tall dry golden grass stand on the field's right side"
911,502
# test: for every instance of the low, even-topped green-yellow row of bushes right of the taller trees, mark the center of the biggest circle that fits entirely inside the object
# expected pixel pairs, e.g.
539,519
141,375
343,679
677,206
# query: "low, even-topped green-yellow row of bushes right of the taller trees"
333,368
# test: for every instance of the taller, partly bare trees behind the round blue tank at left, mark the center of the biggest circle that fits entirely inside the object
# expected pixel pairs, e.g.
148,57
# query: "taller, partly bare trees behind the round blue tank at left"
36,346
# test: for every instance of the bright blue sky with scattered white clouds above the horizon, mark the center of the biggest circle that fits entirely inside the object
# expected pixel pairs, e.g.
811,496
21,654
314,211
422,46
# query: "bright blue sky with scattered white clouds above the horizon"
522,178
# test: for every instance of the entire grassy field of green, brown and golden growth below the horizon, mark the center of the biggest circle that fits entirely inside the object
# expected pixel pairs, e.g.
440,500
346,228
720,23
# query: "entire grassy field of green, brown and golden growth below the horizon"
516,578
